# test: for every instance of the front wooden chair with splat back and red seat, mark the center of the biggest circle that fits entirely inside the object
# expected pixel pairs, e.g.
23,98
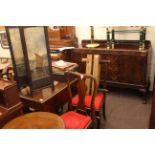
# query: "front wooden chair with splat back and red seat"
79,118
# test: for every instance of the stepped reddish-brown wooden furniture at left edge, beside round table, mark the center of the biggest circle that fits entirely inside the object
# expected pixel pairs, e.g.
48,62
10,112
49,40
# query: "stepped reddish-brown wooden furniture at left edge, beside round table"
10,104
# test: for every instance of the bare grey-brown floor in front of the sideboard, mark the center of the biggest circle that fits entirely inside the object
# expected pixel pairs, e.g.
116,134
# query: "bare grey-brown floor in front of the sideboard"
125,110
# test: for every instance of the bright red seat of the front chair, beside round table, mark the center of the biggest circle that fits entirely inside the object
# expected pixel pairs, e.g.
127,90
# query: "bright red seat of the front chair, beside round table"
74,120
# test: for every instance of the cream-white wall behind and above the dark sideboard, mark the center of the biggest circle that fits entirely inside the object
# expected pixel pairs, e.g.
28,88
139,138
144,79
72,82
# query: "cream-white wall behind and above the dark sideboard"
100,33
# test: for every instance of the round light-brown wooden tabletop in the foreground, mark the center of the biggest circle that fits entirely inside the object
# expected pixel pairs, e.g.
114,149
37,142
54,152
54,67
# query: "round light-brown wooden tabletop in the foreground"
36,120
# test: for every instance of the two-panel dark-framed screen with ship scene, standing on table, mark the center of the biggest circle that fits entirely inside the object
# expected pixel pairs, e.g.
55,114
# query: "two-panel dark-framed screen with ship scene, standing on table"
31,57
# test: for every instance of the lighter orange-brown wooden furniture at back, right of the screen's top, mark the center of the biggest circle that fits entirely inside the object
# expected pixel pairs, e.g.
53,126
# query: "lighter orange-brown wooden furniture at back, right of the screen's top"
62,36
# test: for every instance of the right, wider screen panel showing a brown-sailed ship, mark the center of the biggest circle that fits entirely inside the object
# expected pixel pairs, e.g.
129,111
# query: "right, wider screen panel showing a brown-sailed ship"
37,56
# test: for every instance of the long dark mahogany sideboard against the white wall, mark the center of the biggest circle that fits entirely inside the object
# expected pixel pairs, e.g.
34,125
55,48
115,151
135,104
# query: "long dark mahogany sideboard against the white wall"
123,66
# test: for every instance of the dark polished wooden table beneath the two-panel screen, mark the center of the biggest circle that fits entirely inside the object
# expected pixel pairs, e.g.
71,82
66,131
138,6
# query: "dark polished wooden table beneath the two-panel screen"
47,99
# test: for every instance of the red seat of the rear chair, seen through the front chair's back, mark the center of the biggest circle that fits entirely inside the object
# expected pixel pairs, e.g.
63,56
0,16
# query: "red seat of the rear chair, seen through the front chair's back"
97,103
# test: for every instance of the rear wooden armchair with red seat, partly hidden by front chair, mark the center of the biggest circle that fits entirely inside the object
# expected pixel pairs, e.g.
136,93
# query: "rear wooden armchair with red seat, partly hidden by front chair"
99,101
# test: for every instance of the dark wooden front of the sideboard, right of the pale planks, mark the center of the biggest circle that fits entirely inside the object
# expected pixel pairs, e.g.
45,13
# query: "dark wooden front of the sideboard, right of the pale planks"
124,68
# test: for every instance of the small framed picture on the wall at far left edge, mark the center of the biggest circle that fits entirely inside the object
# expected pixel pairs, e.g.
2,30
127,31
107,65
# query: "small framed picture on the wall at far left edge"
4,40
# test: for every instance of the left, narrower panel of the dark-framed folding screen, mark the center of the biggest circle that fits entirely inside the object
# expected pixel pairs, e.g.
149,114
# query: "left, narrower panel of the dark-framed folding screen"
17,54
